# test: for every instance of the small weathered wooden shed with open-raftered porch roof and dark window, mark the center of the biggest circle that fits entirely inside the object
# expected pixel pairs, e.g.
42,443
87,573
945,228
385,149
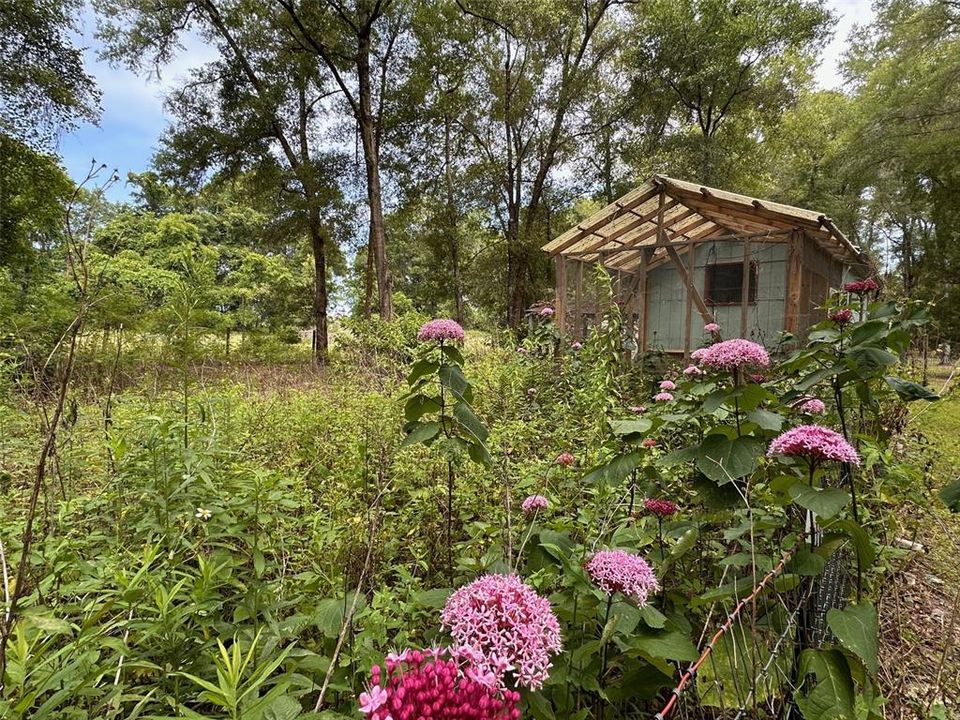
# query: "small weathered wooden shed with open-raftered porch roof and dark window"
682,255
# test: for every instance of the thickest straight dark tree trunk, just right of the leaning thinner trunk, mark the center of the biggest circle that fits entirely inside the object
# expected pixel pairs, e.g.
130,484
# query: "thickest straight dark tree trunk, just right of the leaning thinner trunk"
371,158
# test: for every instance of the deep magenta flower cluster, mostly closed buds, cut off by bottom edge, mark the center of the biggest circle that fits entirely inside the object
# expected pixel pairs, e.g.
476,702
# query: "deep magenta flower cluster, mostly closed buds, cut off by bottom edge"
441,683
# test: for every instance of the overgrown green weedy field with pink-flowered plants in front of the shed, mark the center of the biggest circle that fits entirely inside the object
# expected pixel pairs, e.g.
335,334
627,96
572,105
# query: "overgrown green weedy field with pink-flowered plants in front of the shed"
243,541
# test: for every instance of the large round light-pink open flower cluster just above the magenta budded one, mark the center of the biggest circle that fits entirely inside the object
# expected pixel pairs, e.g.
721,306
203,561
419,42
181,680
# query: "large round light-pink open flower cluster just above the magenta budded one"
507,625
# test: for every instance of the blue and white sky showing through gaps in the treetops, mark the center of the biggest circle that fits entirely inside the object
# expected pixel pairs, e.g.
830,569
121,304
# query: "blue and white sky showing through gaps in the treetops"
133,117
